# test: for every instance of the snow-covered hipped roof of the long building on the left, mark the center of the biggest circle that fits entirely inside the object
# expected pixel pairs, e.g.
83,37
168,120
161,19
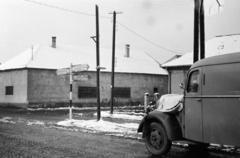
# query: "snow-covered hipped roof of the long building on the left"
46,57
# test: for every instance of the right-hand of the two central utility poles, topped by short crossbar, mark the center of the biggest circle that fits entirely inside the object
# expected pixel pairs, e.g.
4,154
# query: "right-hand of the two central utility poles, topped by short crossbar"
113,60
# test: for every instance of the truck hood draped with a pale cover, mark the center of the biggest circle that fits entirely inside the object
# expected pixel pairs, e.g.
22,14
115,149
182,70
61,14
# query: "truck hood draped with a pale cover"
170,103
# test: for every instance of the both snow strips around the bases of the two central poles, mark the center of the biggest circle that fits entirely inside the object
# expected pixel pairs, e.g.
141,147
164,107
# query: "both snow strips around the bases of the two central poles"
108,127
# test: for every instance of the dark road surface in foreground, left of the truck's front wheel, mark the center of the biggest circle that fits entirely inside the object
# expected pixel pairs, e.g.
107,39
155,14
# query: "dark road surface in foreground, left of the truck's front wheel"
19,140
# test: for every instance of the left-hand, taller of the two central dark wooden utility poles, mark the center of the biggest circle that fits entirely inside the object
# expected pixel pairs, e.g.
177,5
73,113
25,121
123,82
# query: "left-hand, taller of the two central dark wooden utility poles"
98,65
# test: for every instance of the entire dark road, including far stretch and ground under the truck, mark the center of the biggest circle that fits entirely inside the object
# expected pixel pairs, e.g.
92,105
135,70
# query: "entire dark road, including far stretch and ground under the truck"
22,140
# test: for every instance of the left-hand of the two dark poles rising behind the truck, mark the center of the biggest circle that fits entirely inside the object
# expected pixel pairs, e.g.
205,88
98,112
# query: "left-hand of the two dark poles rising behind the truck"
196,30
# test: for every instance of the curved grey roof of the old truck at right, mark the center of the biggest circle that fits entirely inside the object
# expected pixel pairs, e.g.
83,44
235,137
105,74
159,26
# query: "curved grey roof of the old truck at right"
221,59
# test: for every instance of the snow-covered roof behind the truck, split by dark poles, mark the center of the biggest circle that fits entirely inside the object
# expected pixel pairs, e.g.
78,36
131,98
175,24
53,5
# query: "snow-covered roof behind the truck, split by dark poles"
223,44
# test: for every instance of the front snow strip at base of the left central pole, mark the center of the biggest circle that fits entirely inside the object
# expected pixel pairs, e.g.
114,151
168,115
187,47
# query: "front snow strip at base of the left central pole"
101,126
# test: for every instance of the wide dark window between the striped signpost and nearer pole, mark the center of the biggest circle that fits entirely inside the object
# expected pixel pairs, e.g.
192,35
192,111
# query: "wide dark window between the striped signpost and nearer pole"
87,92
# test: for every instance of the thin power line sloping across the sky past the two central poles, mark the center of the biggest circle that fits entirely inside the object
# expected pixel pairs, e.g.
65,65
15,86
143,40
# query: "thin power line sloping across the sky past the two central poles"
105,17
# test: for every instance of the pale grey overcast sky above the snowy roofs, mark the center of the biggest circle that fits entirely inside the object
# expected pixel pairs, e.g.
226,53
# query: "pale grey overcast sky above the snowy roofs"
147,25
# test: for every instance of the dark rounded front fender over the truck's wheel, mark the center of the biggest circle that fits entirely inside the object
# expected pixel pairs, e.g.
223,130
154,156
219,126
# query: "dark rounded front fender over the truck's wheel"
169,122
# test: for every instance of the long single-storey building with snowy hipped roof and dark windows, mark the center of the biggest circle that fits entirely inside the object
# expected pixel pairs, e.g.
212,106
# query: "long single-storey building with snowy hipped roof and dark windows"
30,78
